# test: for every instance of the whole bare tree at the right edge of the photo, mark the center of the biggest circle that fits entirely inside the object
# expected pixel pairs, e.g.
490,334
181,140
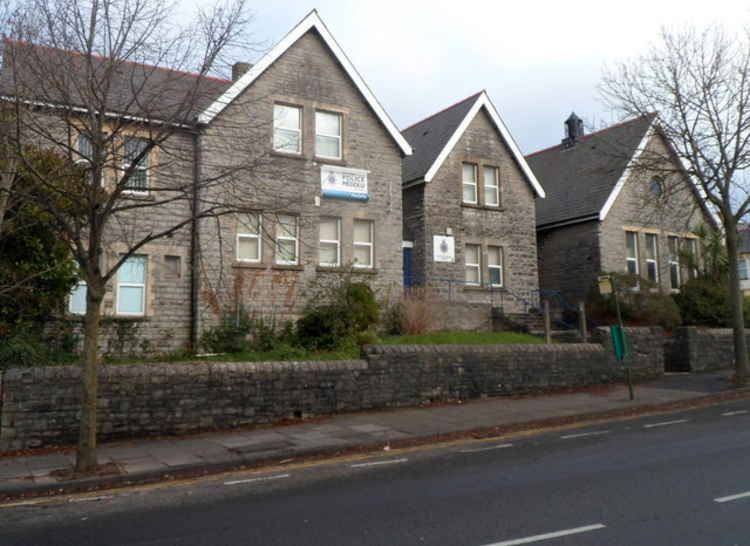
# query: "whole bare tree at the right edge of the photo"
698,81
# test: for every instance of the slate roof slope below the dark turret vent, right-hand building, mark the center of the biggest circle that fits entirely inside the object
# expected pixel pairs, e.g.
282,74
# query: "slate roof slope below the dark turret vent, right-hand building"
579,179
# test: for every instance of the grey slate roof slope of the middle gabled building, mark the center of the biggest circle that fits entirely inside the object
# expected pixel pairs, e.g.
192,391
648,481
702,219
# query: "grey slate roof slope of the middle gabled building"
429,136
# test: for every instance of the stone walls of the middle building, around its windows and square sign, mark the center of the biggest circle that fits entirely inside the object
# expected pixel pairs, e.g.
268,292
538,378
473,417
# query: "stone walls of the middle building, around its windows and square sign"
511,226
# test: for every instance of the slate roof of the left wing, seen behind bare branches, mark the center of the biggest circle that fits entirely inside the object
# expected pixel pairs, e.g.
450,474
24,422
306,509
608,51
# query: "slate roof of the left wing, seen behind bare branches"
60,77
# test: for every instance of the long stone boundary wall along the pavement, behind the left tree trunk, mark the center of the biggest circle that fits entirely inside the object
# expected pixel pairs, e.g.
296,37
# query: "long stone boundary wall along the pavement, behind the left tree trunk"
40,406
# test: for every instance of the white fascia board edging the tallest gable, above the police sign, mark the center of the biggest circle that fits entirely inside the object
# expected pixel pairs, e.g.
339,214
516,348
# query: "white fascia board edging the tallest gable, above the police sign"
312,21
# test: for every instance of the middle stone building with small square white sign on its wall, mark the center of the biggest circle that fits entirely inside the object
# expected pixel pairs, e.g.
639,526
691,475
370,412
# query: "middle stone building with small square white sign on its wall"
469,208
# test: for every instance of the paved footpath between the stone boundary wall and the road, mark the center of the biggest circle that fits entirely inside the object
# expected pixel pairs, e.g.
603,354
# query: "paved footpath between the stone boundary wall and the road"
151,460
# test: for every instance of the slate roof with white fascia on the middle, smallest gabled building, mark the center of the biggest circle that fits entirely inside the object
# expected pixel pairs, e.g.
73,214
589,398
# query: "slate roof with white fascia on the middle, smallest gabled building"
435,137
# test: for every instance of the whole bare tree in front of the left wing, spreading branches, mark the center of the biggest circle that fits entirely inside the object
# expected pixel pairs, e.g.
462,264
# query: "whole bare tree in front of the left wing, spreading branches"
87,78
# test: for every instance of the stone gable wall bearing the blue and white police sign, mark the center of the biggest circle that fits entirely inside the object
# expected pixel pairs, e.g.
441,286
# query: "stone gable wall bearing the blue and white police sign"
306,76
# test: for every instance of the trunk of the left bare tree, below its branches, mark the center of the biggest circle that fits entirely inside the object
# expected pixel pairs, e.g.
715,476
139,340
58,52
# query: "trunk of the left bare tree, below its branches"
86,454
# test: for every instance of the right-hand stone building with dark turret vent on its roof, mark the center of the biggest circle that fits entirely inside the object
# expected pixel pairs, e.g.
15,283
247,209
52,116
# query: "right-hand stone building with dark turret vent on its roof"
613,206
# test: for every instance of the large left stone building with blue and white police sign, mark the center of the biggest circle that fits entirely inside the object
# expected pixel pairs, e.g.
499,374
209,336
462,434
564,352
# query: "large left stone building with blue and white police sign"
311,156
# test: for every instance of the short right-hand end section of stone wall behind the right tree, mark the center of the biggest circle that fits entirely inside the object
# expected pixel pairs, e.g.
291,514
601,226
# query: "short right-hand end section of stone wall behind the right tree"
696,349
